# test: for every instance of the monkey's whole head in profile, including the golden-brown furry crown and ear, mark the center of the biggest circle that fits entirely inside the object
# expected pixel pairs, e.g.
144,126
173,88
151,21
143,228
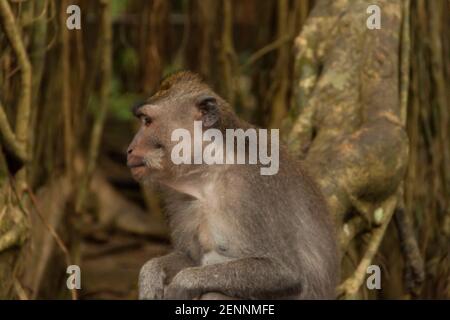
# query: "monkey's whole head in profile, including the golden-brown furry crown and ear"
181,99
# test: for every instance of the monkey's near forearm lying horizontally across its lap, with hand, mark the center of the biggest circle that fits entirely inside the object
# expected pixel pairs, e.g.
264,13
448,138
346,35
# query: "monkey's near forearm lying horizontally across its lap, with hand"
248,278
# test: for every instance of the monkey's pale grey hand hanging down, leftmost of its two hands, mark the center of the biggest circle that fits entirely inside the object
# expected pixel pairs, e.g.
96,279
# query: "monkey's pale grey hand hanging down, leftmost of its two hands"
151,281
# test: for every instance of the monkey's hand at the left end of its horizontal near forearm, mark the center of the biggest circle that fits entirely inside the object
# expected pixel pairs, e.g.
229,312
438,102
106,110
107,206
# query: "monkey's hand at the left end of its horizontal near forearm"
184,286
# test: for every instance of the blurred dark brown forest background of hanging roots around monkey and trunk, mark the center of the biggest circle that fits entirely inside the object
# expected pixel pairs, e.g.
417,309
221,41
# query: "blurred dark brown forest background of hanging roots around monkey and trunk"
66,195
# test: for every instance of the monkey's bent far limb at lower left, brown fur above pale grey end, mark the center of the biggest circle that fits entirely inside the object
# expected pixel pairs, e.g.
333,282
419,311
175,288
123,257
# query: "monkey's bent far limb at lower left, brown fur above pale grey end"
156,273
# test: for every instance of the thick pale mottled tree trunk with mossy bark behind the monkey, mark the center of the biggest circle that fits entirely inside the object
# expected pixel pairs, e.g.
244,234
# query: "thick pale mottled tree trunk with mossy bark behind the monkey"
348,123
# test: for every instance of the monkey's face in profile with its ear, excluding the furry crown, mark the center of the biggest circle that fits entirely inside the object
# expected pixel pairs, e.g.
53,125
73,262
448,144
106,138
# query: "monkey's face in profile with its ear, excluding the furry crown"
149,154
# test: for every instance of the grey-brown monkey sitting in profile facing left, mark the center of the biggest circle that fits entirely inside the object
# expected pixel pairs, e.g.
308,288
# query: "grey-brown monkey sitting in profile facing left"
236,234
